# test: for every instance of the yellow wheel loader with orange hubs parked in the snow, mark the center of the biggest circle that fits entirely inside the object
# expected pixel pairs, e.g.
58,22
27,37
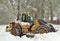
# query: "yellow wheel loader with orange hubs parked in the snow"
29,27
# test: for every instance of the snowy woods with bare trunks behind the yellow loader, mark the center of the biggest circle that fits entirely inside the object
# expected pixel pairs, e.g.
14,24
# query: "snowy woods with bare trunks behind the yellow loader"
39,9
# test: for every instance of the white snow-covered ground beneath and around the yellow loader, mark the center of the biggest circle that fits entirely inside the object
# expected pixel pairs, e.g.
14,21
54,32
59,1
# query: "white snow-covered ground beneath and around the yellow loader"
6,36
